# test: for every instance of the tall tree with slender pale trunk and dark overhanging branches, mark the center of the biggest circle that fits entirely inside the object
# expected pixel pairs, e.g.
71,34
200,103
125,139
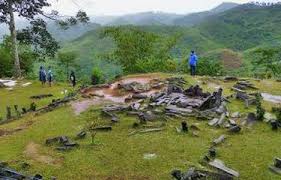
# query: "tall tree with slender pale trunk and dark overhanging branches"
30,9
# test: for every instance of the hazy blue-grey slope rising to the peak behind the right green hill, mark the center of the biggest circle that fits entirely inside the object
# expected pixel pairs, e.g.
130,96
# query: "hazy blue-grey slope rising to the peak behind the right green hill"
197,18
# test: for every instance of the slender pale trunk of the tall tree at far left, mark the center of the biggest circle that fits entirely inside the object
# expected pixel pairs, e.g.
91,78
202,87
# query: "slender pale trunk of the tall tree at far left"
12,26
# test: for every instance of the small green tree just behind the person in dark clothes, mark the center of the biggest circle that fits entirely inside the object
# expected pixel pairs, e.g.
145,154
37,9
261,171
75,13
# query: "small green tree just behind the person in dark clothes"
67,59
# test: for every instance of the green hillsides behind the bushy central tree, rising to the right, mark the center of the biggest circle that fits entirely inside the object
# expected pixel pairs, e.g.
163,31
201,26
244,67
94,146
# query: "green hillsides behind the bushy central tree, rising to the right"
225,35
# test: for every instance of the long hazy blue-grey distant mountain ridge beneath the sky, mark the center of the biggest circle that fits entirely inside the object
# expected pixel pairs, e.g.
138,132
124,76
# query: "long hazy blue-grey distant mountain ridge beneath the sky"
138,19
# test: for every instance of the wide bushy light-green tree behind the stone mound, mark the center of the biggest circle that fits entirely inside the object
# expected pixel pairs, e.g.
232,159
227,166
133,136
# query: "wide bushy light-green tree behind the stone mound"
141,51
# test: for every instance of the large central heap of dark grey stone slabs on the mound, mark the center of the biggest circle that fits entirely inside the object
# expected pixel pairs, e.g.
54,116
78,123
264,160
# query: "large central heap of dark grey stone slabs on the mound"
173,101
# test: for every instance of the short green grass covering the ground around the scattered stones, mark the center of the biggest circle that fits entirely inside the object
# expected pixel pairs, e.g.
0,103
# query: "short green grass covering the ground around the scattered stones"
119,156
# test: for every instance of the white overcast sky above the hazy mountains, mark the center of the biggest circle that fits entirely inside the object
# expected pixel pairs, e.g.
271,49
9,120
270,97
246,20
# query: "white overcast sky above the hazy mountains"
120,7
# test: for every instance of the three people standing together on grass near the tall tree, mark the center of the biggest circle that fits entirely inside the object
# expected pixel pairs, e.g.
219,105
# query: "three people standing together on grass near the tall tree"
48,76
